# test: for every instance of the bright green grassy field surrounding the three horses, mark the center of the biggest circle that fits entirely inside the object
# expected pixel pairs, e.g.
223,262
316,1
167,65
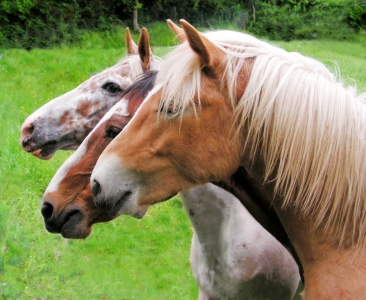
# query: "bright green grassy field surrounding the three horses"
123,259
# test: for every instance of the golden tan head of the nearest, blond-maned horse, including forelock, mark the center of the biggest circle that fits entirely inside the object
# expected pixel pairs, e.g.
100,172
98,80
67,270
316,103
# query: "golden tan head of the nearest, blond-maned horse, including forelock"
170,154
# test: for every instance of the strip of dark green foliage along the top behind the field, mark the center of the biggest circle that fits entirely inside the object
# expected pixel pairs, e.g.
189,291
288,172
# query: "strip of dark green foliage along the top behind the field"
46,23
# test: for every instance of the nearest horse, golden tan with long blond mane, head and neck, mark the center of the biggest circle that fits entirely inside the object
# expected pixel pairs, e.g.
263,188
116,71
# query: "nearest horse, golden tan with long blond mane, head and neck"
225,99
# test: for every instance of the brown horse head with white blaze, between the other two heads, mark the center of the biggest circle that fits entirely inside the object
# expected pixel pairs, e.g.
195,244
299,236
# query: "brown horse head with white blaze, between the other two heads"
68,205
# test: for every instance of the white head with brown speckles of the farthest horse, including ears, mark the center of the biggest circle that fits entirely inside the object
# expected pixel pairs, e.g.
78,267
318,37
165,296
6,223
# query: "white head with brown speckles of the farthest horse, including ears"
65,121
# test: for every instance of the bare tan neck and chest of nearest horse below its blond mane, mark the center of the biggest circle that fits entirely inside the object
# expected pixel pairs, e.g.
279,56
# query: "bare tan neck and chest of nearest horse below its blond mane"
330,271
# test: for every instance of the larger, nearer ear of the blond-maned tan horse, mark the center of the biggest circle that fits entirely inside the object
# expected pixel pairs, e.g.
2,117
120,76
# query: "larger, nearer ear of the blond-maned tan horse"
209,54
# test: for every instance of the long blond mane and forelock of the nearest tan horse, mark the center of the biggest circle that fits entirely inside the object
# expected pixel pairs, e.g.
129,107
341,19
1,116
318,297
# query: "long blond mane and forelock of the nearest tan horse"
309,129
